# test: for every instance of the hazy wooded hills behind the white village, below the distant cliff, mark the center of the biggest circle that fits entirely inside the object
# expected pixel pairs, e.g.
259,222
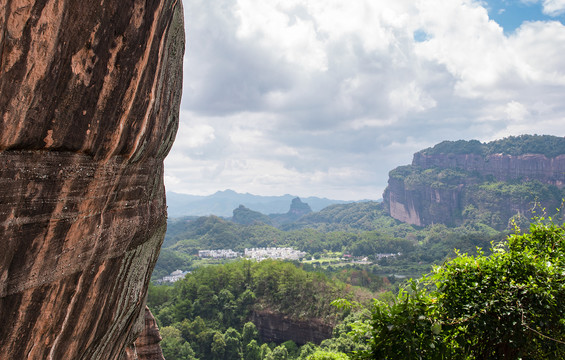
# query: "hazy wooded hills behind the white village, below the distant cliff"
358,229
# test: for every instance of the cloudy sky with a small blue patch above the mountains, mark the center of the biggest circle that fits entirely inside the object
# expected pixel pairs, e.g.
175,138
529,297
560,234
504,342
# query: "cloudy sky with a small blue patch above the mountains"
325,97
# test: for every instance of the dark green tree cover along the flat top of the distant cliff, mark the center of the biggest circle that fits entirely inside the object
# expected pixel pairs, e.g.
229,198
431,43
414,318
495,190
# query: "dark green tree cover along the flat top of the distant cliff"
550,146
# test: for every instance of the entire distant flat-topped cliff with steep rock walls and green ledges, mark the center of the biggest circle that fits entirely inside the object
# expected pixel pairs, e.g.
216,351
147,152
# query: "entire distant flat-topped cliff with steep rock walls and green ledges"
456,187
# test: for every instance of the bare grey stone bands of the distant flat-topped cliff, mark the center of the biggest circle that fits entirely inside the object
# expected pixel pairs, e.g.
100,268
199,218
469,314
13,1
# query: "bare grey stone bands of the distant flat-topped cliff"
423,204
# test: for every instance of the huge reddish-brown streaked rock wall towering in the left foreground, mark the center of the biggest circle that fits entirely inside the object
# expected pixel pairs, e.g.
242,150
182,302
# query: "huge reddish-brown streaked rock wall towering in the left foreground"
89,99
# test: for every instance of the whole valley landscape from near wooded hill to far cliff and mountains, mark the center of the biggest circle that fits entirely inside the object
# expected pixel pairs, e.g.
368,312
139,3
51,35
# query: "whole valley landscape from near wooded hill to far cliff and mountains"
356,252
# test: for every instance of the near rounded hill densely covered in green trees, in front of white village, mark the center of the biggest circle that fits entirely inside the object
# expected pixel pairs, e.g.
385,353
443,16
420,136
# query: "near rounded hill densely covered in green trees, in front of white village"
205,315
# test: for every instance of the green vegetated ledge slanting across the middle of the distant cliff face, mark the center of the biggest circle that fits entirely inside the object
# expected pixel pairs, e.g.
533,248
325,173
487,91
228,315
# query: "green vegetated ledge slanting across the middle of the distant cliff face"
470,198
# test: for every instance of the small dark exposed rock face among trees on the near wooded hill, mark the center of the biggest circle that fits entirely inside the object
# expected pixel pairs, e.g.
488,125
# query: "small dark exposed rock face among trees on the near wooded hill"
274,327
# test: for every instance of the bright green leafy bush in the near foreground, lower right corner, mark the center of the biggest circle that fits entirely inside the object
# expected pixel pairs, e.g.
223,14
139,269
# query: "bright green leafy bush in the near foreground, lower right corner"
504,306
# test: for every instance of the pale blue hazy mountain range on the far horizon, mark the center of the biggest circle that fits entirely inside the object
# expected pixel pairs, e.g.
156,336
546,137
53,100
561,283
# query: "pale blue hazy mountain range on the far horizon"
222,203
